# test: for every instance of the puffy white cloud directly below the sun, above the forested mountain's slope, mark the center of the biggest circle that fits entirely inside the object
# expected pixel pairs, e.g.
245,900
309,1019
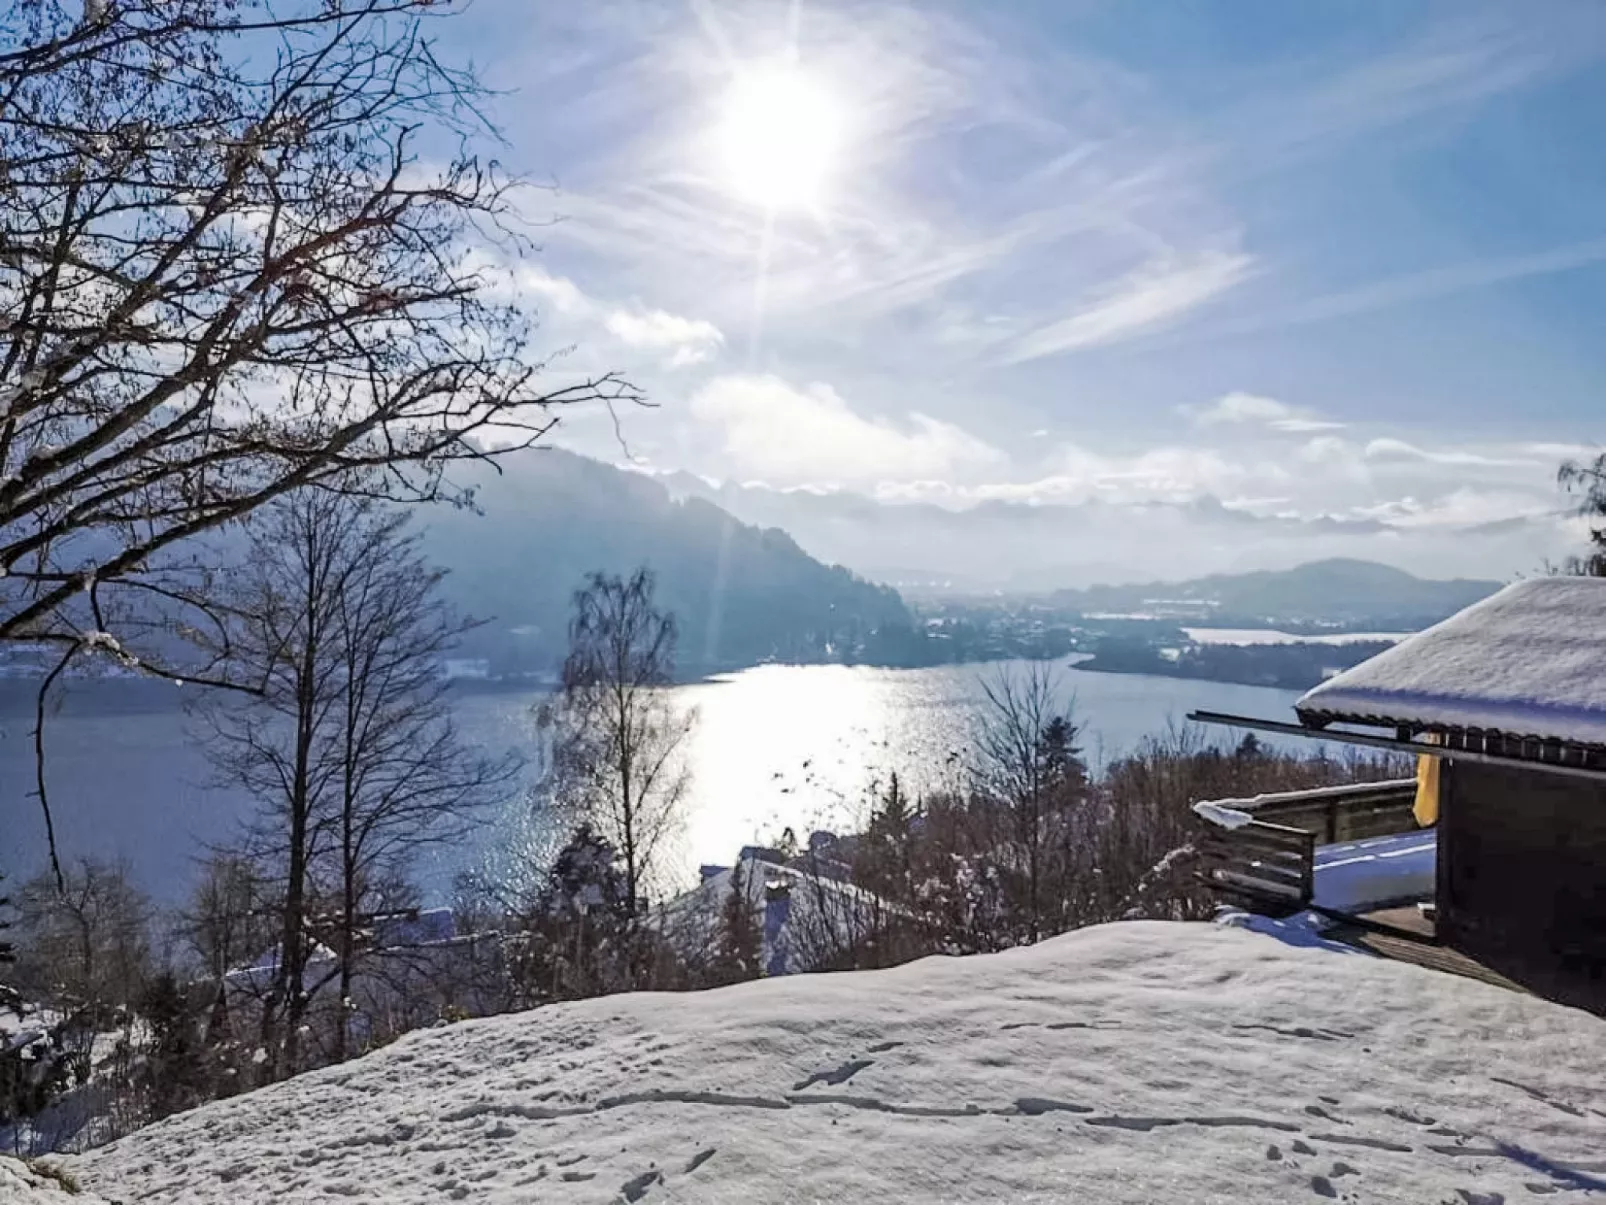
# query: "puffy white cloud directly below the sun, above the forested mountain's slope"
812,436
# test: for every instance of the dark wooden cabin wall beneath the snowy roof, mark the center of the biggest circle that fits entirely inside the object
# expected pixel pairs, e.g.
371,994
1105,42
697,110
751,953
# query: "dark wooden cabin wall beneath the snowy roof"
1523,876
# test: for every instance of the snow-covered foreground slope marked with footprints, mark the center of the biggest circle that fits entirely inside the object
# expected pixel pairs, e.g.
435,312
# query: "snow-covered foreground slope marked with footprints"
1128,1064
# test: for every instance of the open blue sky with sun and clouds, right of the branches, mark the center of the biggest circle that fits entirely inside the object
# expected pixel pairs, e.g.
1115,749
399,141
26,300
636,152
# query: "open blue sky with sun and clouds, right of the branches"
1316,264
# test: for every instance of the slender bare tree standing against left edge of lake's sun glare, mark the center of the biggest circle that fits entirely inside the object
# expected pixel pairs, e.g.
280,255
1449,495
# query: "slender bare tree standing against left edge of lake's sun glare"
619,748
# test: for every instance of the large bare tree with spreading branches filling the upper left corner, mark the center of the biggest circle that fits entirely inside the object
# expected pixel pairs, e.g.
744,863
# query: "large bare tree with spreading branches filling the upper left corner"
245,247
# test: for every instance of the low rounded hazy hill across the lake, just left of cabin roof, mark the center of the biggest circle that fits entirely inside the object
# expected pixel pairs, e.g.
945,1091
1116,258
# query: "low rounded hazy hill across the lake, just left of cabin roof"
1337,592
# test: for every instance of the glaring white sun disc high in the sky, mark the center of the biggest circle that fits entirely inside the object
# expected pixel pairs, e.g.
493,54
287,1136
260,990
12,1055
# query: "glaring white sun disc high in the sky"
780,137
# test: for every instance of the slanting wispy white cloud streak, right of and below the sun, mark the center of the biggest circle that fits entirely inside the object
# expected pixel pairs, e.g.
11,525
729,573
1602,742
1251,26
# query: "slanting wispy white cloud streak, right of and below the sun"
1154,296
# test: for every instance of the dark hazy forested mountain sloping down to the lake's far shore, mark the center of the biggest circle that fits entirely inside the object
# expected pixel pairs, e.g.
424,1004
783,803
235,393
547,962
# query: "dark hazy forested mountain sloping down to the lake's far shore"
741,594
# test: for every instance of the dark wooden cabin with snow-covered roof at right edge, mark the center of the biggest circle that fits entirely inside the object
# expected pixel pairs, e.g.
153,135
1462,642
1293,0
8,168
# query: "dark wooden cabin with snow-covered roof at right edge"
1509,701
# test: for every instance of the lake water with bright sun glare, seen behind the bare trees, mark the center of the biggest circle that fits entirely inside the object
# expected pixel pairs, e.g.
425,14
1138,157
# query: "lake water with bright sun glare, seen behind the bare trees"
775,746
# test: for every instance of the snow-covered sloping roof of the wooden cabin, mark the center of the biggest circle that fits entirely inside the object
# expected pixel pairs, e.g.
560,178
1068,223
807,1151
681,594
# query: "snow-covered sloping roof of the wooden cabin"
1525,663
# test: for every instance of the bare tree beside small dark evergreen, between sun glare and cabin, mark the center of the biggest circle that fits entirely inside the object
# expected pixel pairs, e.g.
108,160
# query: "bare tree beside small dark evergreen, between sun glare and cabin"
1029,769
